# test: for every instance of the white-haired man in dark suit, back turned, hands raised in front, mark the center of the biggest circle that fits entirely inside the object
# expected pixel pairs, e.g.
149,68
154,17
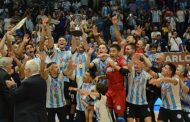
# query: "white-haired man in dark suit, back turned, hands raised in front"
30,97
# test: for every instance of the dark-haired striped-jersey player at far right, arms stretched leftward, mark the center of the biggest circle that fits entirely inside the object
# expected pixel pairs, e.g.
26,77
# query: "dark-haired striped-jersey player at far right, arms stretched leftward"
170,93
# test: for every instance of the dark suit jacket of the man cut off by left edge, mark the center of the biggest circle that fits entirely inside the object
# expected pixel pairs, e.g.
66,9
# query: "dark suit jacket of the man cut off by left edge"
6,108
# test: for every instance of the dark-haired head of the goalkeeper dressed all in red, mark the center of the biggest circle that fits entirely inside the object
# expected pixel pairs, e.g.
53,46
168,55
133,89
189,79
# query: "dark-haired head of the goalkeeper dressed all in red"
114,50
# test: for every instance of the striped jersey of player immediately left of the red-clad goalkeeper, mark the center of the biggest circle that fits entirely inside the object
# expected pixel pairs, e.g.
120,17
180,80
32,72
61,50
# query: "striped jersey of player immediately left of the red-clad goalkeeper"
101,68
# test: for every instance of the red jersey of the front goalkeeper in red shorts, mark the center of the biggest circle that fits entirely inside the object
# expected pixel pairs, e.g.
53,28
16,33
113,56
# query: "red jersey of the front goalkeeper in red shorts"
114,77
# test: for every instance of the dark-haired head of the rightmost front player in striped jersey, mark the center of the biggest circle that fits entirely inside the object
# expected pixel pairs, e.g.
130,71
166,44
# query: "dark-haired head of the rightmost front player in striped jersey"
169,70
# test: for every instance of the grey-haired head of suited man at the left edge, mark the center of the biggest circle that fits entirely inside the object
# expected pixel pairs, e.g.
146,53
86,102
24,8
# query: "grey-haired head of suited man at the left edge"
6,63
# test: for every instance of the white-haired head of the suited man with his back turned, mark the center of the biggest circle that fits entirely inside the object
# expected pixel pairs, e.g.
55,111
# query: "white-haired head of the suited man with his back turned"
31,67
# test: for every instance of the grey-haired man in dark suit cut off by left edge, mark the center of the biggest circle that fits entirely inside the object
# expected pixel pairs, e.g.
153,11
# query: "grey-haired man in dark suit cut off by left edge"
6,108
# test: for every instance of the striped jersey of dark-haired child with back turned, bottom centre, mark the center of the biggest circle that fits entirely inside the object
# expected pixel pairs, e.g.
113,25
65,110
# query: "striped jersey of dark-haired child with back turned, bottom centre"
102,111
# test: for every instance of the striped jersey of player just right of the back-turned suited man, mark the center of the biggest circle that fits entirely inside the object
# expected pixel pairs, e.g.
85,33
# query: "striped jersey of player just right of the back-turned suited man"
55,92
